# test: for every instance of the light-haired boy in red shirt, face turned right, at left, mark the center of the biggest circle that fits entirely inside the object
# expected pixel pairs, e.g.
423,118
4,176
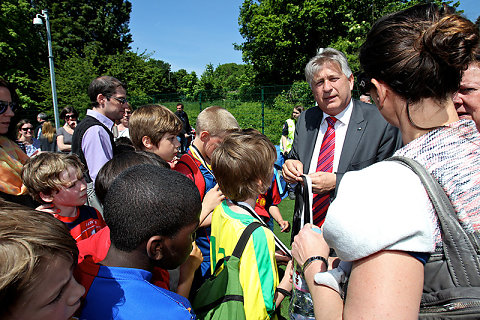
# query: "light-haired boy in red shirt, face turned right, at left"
57,180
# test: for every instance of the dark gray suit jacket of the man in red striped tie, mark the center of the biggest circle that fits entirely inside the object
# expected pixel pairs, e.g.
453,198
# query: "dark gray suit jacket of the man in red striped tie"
369,139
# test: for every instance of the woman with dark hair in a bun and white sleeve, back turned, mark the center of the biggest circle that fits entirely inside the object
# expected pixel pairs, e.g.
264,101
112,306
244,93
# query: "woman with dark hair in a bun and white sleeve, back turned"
382,220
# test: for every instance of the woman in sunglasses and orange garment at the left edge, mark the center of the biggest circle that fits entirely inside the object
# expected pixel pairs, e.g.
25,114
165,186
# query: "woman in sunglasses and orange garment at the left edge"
12,157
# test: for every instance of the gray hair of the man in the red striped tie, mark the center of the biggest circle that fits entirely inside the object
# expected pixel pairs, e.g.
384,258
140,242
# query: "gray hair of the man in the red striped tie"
324,55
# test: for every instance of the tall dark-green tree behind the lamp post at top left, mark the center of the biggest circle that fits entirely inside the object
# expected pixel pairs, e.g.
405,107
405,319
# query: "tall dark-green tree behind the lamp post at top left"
78,28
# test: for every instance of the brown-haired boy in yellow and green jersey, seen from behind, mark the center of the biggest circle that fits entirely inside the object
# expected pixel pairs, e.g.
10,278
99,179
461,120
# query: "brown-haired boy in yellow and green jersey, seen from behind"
243,165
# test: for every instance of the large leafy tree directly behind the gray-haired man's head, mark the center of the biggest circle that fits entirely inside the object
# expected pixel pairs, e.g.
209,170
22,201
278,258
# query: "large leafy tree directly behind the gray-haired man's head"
281,36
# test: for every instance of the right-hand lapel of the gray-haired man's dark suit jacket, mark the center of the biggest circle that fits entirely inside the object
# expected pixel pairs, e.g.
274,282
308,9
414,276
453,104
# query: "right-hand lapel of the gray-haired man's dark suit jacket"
355,130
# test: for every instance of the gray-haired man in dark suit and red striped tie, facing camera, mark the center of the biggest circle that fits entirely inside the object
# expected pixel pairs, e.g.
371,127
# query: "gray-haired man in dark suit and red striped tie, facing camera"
339,135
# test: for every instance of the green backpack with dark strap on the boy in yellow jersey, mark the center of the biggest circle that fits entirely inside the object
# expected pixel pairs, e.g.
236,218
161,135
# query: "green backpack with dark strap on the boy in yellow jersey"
221,296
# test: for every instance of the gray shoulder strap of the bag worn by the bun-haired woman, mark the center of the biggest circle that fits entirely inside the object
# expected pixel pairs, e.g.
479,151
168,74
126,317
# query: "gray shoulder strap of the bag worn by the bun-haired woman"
463,263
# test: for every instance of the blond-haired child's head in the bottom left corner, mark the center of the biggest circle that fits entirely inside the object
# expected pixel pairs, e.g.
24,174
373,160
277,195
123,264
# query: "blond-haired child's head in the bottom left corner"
38,255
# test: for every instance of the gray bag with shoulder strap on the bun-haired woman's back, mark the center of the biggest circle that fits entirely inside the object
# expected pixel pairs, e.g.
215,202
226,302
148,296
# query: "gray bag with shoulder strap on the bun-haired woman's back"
452,277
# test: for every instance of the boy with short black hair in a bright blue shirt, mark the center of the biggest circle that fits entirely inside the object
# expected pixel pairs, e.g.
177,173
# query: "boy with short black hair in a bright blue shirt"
152,213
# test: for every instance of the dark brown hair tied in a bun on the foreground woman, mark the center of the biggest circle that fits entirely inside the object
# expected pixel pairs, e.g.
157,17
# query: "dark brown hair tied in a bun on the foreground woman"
420,52
